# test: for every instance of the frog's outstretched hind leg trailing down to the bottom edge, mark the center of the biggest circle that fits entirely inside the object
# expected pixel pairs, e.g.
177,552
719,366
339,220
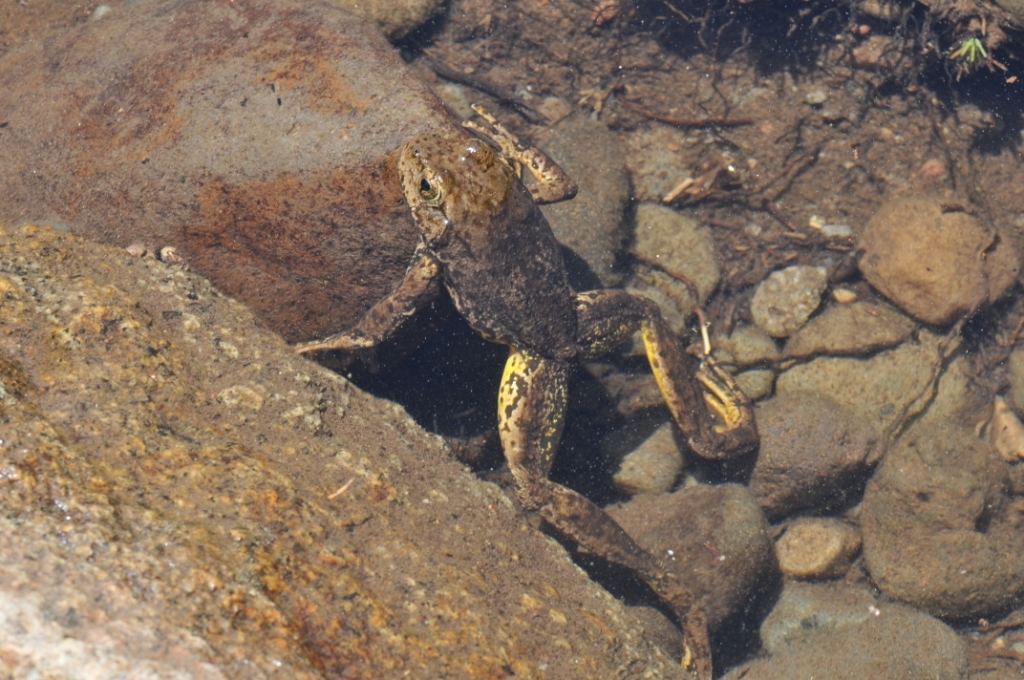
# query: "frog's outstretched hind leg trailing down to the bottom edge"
531,416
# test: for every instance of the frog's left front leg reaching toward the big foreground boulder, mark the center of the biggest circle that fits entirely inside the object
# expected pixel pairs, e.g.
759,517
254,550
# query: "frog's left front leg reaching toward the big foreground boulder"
419,288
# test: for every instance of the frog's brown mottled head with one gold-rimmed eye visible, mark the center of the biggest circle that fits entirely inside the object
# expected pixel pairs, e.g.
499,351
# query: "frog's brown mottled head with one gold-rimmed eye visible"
454,185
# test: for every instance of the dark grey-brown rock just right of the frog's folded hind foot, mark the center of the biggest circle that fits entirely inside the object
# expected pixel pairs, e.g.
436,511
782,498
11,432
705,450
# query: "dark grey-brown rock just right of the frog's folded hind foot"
814,453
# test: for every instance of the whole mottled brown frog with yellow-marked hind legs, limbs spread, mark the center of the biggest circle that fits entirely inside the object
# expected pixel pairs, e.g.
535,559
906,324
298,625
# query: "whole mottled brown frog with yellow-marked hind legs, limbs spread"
485,238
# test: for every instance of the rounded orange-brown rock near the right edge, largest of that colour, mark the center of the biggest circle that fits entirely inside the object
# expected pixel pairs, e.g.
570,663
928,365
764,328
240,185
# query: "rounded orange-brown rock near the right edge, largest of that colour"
935,263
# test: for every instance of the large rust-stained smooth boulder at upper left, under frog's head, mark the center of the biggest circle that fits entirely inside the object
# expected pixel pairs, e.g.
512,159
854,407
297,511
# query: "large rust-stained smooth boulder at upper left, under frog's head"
217,131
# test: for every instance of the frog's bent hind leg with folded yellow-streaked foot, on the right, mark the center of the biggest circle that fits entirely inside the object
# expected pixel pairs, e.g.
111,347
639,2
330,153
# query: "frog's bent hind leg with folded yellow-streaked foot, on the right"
706,402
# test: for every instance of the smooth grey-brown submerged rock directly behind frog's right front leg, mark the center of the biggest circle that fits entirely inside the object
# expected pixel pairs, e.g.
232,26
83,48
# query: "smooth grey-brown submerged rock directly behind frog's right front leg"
593,226
